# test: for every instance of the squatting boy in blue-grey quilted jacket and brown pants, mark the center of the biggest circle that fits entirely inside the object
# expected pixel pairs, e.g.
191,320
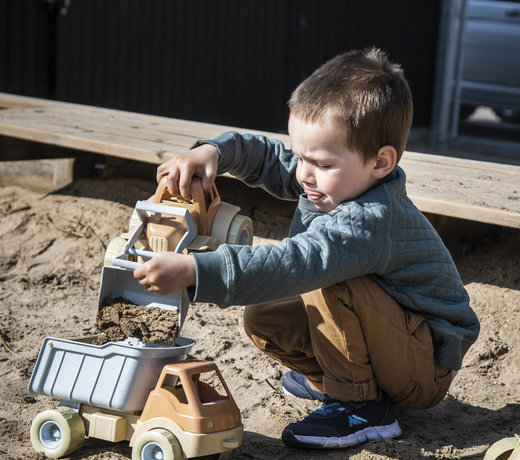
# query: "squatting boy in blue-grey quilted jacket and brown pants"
363,301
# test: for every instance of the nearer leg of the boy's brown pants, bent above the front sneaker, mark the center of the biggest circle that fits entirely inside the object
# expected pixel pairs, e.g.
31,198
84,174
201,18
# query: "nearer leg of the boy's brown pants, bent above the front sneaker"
363,340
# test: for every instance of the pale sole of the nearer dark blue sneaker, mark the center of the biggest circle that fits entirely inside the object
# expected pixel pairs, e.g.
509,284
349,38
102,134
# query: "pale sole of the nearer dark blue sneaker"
370,433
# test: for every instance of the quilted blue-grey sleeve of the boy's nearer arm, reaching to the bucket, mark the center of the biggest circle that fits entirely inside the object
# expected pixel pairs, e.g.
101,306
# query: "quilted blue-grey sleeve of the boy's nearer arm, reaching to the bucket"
318,257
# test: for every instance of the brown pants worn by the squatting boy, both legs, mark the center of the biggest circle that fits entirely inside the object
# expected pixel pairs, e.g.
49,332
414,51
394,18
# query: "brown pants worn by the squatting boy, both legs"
350,339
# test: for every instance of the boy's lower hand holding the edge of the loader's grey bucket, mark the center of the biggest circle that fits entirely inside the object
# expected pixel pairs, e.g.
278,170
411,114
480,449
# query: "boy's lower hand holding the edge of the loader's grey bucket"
167,272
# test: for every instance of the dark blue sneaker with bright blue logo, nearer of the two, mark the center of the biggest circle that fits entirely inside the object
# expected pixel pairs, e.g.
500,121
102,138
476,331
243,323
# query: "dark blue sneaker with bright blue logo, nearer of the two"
338,424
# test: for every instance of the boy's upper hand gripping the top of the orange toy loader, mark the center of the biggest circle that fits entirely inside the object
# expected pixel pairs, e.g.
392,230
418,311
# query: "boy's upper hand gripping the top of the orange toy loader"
201,161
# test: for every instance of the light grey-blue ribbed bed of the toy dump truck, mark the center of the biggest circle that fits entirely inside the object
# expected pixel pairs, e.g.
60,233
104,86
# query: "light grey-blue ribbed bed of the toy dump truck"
115,376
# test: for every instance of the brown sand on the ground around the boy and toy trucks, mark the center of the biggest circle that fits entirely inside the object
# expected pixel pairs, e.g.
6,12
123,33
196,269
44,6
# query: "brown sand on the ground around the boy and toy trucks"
52,250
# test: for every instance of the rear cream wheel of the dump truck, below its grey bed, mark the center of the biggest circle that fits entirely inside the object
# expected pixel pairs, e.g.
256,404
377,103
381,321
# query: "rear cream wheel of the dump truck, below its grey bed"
57,433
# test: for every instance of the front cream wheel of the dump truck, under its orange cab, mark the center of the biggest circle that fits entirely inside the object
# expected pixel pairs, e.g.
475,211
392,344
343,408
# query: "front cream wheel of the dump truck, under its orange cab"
157,445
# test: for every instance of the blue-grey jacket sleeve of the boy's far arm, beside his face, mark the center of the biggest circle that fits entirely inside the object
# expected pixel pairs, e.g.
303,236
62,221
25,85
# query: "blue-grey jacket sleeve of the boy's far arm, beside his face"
258,161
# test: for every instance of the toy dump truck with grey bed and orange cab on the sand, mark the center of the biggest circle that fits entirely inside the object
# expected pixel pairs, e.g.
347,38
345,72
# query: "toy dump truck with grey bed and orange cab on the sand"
105,394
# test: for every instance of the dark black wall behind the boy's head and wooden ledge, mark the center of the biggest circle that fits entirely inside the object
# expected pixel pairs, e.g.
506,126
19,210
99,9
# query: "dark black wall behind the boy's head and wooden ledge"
232,62
